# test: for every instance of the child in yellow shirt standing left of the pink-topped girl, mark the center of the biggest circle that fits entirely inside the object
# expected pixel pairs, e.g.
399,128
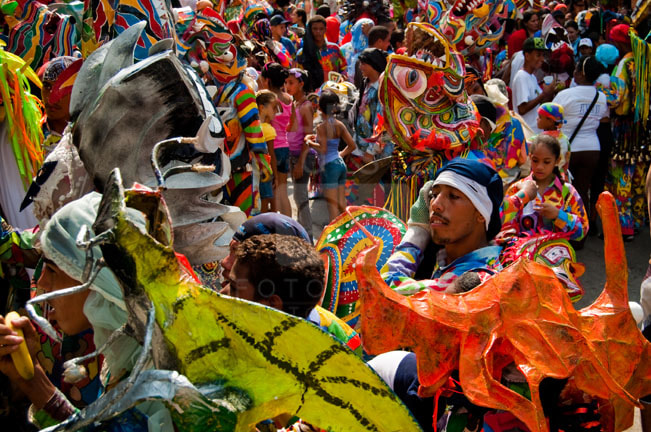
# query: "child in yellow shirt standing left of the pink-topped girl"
267,101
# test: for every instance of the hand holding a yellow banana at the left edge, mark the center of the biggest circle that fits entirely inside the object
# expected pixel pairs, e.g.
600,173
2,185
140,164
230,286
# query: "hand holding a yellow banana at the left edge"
9,342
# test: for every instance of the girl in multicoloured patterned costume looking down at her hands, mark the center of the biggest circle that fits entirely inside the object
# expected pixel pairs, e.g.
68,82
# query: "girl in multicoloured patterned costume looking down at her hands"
542,201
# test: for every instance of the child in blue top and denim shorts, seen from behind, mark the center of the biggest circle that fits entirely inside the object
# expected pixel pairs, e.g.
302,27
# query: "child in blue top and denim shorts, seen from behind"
328,135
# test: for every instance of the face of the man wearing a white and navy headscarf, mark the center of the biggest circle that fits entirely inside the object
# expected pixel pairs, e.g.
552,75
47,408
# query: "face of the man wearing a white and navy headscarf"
451,214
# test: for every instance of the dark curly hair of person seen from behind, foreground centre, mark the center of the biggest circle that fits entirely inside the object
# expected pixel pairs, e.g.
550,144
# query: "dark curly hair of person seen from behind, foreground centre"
286,266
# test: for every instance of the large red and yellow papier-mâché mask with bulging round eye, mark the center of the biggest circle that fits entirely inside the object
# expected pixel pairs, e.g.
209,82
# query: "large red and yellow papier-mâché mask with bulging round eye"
423,93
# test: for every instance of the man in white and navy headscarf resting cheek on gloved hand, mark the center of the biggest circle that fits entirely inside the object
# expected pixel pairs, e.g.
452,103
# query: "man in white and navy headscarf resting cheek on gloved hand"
457,213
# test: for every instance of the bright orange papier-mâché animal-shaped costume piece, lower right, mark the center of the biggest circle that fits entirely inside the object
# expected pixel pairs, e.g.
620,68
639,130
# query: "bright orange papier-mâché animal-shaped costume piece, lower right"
523,315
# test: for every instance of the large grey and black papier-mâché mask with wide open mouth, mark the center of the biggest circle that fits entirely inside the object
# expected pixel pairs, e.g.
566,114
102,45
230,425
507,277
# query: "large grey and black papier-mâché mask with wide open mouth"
154,120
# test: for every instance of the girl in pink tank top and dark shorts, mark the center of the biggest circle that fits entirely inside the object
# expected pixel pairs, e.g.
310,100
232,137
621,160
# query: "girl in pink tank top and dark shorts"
302,159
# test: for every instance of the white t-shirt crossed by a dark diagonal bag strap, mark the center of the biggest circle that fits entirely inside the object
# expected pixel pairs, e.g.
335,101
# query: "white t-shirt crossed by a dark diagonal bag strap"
575,102
